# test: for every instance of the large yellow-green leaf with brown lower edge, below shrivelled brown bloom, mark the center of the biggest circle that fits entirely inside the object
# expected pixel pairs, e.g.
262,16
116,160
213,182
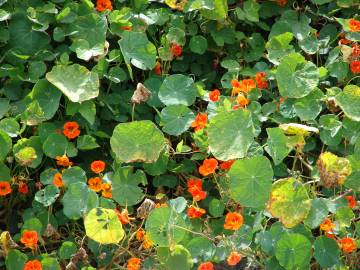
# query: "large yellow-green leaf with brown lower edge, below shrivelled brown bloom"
138,141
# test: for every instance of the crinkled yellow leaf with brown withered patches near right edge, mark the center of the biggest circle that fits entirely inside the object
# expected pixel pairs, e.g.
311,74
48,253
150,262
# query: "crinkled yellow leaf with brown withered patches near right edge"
333,169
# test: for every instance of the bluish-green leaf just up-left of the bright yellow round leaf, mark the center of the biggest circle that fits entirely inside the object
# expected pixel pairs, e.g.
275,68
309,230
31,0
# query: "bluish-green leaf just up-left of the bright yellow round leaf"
78,200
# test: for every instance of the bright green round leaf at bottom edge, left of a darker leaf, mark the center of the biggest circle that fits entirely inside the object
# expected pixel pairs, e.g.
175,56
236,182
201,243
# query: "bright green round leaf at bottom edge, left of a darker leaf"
293,251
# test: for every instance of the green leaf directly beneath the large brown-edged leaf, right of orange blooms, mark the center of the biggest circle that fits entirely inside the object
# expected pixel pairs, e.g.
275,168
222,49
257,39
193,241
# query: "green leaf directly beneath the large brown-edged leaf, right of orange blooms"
125,189
